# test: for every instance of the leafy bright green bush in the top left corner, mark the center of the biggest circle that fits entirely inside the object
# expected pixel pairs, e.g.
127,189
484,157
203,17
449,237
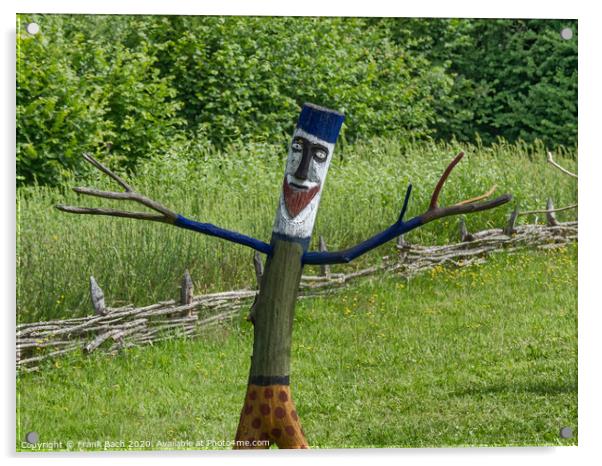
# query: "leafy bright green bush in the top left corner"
81,88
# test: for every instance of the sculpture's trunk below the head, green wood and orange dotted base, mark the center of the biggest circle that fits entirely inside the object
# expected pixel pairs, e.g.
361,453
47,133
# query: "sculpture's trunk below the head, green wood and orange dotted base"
269,413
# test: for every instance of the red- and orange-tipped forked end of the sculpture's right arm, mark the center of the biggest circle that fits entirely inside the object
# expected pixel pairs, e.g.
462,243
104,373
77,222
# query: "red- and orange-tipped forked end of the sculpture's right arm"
467,206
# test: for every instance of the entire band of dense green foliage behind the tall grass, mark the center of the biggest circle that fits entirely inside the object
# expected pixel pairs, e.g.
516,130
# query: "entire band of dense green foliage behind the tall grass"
125,87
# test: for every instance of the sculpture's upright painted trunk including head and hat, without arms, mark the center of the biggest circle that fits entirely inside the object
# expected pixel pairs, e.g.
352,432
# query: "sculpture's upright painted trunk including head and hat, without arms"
269,414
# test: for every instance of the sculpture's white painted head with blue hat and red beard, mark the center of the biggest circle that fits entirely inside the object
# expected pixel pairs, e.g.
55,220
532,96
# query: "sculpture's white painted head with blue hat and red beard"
309,157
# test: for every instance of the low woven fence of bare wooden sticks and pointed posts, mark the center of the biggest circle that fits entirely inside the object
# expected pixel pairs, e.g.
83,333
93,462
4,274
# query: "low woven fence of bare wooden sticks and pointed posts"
113,329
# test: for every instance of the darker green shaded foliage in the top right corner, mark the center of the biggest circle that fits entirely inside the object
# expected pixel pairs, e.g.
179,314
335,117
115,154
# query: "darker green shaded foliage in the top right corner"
515,79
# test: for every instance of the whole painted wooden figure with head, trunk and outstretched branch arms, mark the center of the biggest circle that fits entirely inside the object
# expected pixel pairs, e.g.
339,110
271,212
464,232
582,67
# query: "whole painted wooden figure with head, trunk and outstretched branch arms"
268,414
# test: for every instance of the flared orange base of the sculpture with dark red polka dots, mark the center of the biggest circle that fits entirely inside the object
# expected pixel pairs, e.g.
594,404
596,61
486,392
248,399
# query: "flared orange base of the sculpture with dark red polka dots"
269,416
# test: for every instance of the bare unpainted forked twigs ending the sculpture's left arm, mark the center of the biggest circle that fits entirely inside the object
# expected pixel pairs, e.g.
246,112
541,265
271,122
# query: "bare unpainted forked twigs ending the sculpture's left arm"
164,215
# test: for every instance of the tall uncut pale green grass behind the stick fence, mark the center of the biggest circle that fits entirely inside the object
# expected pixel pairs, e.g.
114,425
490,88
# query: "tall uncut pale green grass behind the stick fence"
141,262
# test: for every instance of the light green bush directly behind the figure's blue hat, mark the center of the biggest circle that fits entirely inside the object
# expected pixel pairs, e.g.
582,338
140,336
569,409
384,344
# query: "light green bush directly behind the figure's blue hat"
246,77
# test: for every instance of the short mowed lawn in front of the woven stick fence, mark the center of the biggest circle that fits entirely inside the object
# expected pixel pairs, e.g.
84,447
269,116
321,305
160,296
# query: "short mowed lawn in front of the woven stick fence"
485,355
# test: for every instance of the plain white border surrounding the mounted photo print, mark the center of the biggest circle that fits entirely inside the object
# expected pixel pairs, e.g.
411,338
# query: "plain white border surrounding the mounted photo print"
590,415
